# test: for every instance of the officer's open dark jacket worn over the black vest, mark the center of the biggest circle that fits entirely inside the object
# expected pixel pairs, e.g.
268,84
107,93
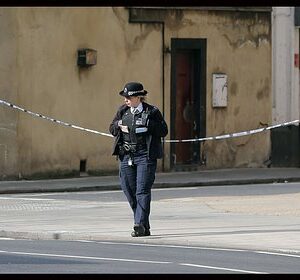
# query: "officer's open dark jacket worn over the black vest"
157,128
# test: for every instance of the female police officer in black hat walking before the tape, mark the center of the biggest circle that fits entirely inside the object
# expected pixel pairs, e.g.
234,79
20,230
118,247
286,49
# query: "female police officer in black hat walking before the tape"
138,128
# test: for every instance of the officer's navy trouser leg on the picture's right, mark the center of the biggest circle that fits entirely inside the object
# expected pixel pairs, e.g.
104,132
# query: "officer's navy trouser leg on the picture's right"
145,178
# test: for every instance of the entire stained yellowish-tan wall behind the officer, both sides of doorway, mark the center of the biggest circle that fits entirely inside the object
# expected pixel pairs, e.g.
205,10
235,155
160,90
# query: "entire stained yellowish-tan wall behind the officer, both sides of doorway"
39,48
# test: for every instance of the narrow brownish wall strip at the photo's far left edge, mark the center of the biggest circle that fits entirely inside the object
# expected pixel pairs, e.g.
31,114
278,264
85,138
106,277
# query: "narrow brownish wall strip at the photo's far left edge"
8,90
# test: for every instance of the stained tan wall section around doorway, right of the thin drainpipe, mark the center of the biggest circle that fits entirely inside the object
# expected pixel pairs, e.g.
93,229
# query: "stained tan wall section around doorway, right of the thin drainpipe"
239,45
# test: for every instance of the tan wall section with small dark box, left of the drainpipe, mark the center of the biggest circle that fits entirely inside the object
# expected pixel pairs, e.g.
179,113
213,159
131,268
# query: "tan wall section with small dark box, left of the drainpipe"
49,81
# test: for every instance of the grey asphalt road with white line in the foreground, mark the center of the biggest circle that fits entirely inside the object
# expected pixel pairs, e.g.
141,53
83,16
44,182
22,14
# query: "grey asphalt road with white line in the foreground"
51,257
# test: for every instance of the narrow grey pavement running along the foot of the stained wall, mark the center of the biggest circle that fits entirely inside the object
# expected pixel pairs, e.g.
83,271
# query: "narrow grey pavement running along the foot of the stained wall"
172,179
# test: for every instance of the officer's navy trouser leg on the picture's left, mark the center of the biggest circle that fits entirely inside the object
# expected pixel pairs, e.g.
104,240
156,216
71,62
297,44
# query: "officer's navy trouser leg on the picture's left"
128,182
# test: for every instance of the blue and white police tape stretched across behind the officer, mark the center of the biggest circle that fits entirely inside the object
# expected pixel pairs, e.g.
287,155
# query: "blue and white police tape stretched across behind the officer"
219,137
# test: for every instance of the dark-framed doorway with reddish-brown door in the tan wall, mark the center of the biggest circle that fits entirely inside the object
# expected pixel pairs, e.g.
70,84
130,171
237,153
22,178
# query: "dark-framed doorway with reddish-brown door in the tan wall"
188,101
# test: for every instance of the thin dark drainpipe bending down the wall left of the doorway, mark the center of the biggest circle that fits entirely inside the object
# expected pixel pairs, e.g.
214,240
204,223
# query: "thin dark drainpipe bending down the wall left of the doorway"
163,70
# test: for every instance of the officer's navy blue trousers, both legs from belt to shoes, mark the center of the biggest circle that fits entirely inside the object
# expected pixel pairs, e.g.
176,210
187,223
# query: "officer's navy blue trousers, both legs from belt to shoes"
136,183
